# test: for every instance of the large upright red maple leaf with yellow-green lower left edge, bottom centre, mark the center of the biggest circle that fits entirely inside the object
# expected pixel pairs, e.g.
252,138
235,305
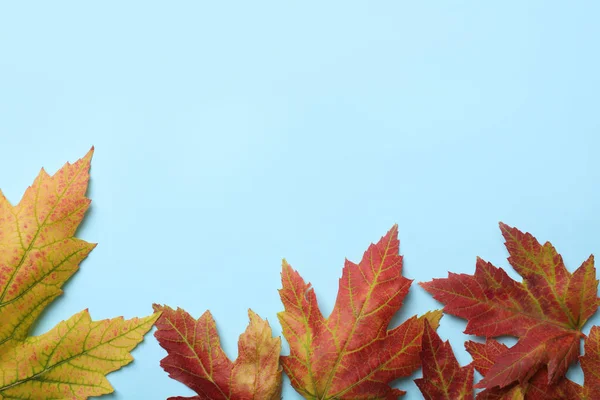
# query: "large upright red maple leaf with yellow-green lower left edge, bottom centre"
351,354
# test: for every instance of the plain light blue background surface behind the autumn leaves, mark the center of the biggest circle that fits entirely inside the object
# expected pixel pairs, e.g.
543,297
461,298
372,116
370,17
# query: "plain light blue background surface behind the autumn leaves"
229,135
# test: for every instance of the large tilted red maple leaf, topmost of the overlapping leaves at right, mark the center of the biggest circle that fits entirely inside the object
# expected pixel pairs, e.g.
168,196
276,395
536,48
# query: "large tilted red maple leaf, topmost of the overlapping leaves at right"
545,312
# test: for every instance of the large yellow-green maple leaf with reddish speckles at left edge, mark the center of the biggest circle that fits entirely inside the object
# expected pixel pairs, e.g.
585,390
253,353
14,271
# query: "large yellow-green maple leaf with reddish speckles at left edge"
38,253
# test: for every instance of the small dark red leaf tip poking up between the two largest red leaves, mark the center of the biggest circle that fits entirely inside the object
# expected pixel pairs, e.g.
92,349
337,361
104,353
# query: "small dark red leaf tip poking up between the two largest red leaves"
443,378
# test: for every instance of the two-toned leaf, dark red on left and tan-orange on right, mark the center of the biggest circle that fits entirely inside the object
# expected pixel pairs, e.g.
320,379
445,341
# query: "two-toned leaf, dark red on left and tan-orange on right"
196,359
